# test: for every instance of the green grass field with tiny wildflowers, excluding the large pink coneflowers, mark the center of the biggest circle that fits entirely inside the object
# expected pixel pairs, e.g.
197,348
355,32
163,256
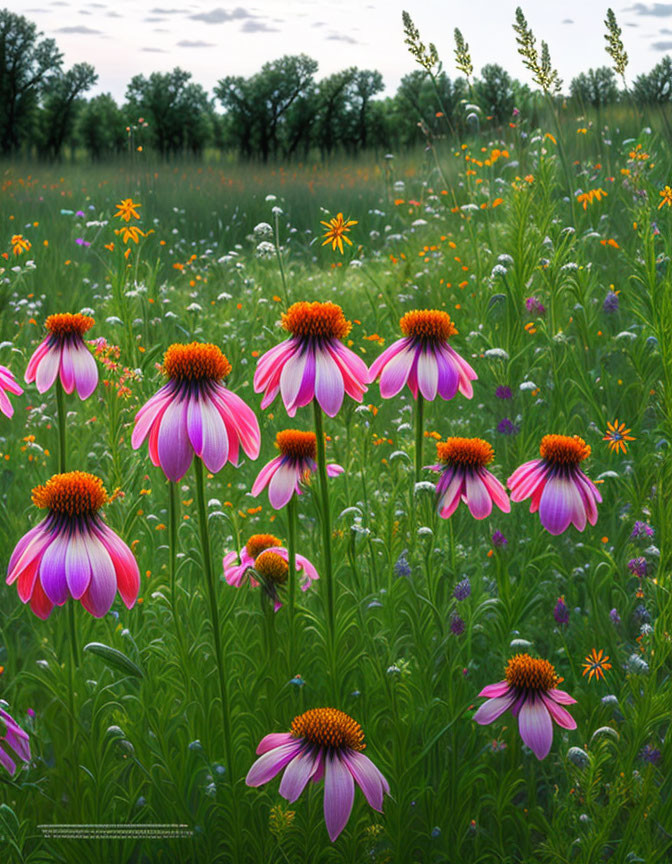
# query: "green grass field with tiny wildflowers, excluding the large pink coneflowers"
564,312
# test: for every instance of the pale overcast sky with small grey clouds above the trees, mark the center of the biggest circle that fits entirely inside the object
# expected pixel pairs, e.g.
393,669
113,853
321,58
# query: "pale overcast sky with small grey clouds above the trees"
124,37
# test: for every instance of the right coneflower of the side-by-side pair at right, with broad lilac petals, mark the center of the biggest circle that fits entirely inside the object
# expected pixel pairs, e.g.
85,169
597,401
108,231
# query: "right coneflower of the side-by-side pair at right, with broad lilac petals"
560,491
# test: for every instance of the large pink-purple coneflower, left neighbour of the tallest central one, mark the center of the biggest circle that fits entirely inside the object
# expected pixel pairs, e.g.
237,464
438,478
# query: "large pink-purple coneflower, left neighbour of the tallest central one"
194,413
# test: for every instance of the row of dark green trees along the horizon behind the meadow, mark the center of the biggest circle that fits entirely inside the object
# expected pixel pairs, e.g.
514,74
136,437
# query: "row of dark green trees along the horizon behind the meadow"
281,112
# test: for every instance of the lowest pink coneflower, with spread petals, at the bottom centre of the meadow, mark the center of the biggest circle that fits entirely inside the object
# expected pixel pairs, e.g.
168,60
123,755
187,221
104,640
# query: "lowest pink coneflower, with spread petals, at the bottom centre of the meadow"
323,743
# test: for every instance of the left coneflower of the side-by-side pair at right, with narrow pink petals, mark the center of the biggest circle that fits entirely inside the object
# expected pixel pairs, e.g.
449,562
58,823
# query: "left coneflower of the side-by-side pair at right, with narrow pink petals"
464,477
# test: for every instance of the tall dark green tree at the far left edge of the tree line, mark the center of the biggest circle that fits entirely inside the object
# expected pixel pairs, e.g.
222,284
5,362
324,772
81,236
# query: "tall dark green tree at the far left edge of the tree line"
27,64
